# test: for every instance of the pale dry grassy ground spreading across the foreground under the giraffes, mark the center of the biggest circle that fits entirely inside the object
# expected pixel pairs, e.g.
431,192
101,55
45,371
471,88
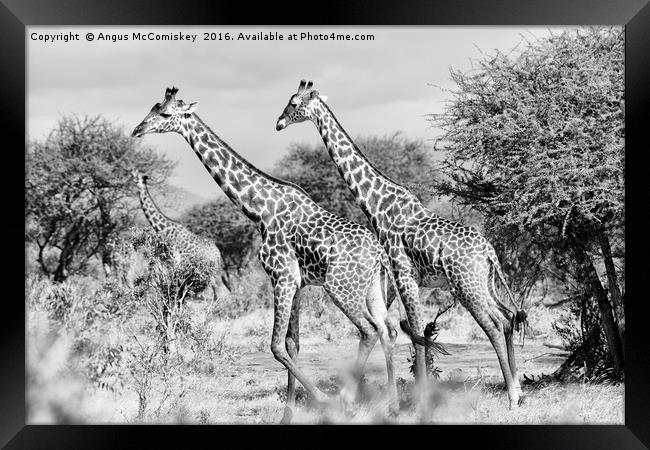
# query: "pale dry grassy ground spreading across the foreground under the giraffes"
80,371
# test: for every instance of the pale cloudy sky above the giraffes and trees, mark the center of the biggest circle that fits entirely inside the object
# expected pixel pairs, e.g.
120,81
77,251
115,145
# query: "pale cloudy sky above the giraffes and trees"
373,87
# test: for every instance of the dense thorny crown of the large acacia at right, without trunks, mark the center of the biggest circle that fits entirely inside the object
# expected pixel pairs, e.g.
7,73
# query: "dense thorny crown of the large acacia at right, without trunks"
537,138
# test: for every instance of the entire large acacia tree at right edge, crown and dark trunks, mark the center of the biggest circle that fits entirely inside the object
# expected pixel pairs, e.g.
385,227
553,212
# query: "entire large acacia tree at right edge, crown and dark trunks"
534,140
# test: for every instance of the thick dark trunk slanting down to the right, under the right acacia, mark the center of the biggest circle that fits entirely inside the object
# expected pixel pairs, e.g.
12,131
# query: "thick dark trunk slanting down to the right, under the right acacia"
610,327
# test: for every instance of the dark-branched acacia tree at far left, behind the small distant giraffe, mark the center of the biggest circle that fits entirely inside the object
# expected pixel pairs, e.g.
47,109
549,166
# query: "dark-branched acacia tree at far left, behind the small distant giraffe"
78,192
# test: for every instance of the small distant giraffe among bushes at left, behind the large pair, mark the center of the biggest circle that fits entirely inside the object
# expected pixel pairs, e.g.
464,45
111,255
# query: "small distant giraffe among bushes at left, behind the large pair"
185,242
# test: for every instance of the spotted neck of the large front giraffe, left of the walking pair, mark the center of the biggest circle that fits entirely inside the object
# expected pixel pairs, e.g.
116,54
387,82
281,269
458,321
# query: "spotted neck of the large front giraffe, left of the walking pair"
257,194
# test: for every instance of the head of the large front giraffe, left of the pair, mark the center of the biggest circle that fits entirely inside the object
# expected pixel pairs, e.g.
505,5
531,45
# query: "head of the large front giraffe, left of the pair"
165,116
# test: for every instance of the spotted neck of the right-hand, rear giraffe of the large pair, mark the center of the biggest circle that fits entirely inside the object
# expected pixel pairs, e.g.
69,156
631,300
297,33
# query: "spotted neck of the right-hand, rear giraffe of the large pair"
376,193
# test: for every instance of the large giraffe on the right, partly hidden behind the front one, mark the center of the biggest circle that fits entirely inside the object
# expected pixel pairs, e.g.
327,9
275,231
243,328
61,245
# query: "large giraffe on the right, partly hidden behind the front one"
422,246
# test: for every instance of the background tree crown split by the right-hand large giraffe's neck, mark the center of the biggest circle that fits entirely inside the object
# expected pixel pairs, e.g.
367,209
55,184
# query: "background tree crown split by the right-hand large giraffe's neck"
405,160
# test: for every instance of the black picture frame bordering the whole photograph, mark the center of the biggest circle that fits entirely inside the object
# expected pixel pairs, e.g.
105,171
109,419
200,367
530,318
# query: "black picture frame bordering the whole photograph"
15,15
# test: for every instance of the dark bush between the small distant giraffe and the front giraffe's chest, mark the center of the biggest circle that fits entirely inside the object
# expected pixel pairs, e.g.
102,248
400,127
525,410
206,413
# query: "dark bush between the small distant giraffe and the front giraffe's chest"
234,233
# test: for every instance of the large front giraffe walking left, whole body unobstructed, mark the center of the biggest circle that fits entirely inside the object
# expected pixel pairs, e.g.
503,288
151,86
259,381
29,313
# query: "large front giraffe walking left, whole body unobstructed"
302,244
